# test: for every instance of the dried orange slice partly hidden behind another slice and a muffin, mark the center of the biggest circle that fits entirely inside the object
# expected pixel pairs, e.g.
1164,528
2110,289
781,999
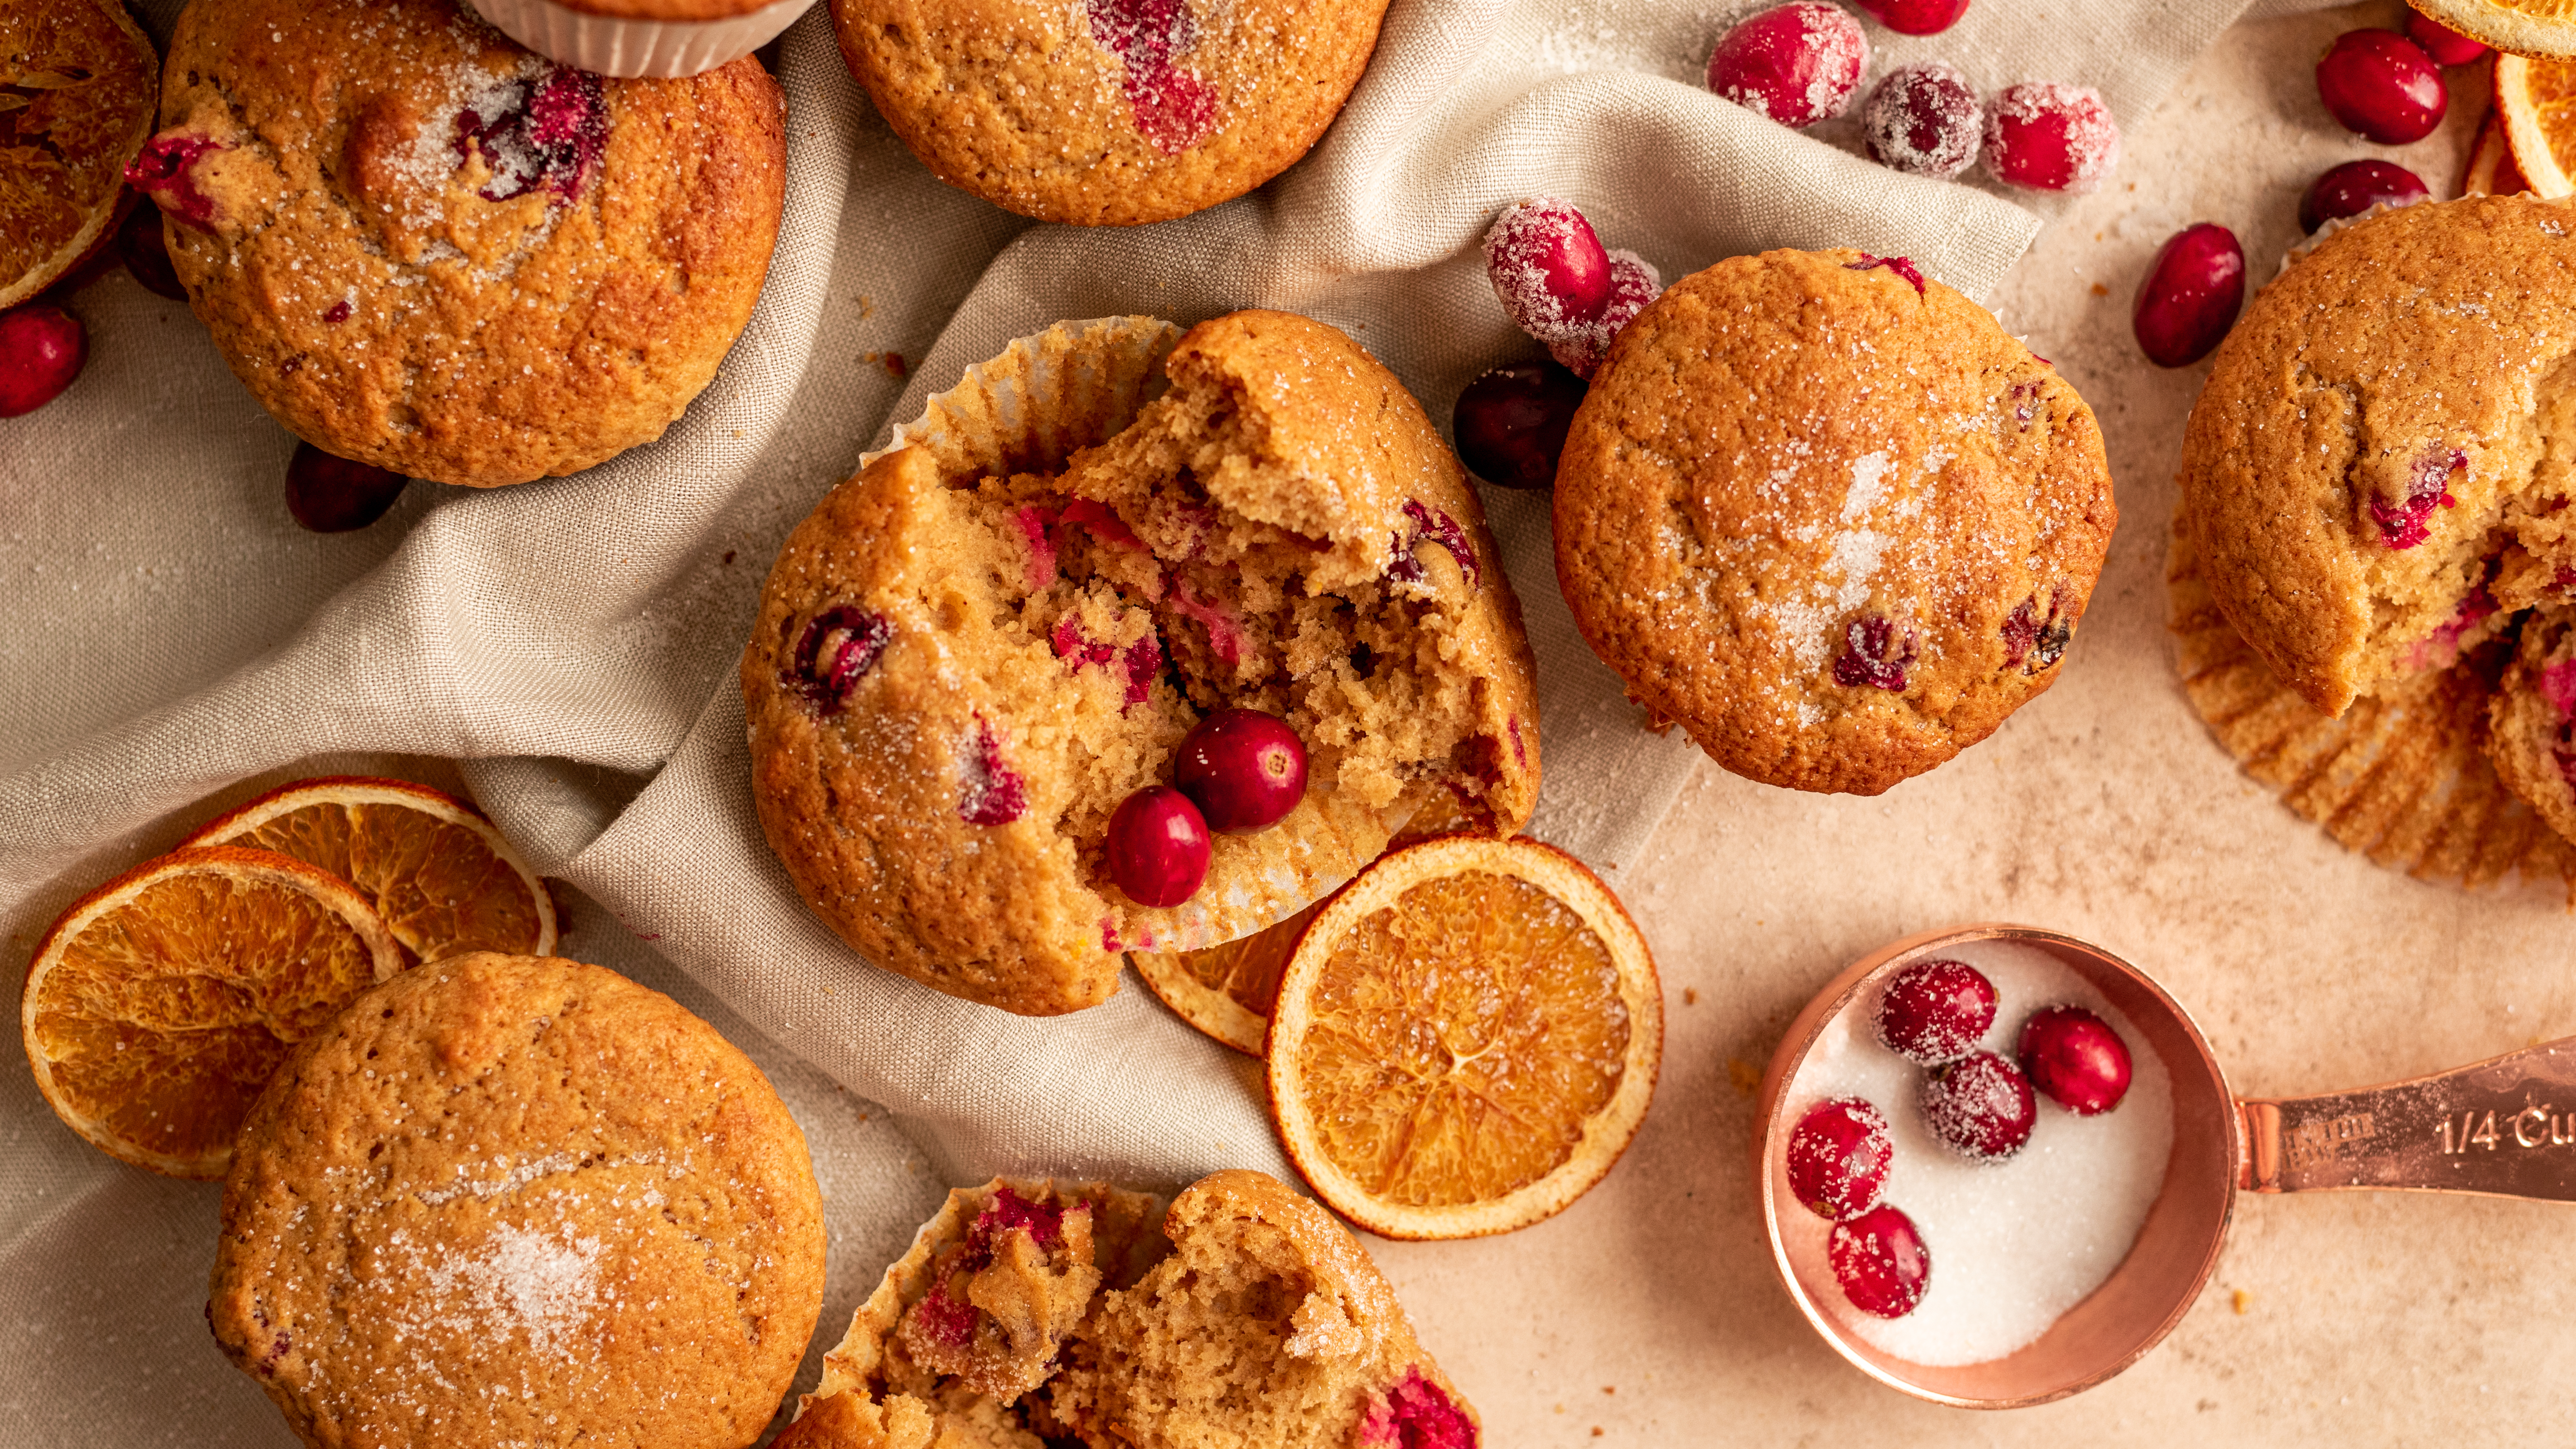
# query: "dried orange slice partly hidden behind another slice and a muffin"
431,865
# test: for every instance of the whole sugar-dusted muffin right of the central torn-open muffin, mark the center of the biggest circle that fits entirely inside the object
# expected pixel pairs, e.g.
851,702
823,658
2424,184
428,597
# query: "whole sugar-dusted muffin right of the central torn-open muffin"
1830,520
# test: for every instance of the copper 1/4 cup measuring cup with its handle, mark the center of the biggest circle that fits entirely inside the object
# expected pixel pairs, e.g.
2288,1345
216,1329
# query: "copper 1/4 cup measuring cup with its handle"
2487,1128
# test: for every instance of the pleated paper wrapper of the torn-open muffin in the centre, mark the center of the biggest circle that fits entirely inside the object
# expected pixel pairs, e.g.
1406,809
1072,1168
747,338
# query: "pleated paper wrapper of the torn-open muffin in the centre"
1032,409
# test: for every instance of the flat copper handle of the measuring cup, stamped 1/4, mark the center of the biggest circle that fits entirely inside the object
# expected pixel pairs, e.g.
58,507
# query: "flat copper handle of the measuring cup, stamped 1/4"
2503,1128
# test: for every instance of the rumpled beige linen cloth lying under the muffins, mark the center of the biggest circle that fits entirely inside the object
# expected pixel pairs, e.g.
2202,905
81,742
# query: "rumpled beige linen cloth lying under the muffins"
174,638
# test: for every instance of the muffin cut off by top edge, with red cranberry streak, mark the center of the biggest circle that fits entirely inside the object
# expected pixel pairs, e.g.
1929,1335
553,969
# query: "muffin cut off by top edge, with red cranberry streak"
1106,112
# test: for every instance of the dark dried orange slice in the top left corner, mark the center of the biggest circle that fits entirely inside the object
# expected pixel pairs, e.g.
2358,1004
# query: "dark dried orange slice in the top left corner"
79,86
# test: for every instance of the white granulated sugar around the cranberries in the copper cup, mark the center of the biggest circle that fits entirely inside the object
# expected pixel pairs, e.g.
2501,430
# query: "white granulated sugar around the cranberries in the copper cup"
2013,1244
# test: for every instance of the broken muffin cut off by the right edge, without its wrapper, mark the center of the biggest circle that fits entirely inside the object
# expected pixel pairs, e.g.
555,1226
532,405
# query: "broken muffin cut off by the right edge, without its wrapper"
2376,476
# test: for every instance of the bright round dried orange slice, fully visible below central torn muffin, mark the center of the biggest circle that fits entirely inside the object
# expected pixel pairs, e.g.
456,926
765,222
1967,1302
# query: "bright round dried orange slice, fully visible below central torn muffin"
1464,1040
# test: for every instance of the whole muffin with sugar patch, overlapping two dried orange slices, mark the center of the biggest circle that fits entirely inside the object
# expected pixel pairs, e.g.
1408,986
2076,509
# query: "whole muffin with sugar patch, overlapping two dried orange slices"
519,1200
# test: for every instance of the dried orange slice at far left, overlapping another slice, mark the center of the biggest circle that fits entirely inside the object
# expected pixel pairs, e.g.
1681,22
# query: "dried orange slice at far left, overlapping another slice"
166,999
